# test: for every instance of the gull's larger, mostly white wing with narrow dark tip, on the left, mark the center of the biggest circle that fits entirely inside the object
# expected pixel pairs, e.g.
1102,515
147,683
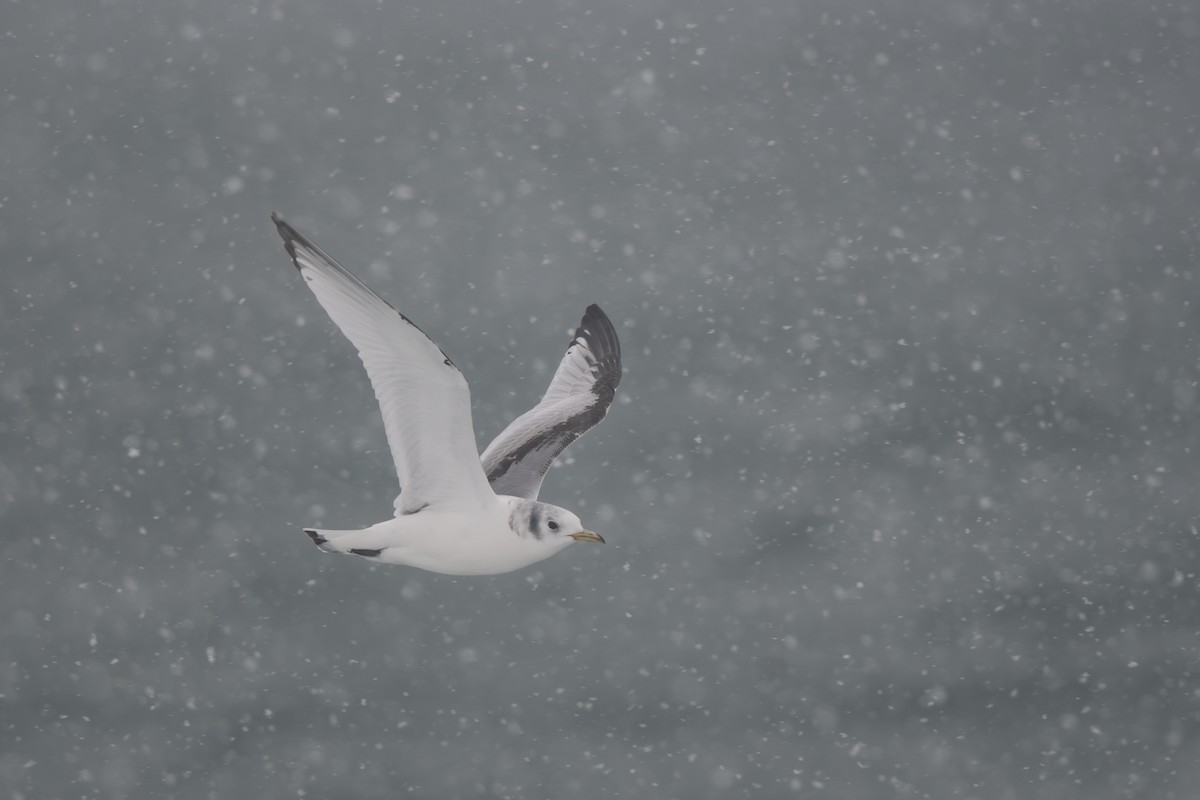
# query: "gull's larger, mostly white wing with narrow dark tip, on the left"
423,396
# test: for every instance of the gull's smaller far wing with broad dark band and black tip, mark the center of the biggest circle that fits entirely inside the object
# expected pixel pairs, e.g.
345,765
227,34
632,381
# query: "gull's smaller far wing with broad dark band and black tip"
578,399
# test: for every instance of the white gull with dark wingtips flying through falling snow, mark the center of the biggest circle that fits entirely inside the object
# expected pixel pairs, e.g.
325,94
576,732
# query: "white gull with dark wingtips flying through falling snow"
459,513
